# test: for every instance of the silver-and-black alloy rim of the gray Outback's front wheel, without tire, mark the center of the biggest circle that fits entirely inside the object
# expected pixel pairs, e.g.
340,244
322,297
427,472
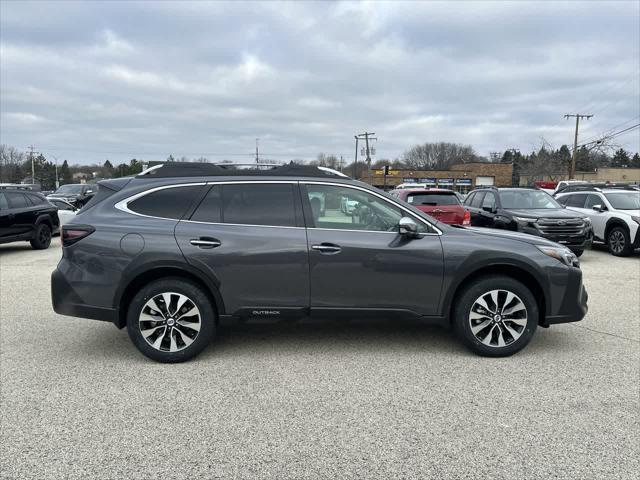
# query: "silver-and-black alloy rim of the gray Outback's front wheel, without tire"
498,318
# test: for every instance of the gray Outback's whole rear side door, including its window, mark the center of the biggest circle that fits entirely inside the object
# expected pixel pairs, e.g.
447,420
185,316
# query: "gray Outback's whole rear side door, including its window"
245,235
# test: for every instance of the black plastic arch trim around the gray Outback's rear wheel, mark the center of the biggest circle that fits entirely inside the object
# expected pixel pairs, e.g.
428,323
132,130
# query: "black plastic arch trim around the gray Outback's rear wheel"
180,267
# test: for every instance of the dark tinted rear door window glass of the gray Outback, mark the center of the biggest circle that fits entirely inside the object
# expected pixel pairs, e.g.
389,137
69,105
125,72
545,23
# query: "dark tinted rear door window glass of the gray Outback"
259,204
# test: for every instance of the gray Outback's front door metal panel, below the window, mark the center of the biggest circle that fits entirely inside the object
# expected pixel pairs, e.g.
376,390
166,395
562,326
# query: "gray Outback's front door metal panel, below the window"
375,270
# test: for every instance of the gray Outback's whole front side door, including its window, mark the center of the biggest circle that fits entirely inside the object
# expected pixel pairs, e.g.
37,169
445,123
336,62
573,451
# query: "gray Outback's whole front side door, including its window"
358,260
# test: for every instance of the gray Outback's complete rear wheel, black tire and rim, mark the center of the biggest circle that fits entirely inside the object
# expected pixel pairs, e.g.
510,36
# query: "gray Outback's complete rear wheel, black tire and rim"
171,338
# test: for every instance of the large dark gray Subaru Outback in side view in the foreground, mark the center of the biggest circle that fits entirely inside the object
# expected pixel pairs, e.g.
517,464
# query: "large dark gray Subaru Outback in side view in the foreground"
182,248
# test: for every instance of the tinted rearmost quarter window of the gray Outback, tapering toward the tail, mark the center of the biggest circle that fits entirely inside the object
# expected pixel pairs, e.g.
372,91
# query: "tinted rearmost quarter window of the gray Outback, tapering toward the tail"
171,202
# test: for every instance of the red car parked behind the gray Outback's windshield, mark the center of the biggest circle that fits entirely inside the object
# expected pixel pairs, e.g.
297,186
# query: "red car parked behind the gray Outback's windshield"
440,203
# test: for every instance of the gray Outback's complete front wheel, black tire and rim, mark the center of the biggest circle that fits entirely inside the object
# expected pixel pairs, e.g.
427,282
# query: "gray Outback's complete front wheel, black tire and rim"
514,333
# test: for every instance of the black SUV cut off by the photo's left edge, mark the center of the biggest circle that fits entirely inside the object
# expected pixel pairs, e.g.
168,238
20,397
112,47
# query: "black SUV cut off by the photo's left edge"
27,216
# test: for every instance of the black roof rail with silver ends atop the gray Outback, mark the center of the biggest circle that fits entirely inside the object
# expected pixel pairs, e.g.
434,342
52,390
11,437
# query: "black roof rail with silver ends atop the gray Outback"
194,169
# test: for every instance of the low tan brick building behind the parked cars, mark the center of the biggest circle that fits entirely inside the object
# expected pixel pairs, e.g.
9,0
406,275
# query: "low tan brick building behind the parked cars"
462,177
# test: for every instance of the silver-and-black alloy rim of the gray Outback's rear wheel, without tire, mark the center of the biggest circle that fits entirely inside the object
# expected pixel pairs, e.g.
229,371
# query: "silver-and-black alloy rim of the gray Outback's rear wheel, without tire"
170,322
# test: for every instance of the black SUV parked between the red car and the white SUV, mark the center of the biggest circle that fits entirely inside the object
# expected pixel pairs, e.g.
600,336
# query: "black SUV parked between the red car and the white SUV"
531,211
